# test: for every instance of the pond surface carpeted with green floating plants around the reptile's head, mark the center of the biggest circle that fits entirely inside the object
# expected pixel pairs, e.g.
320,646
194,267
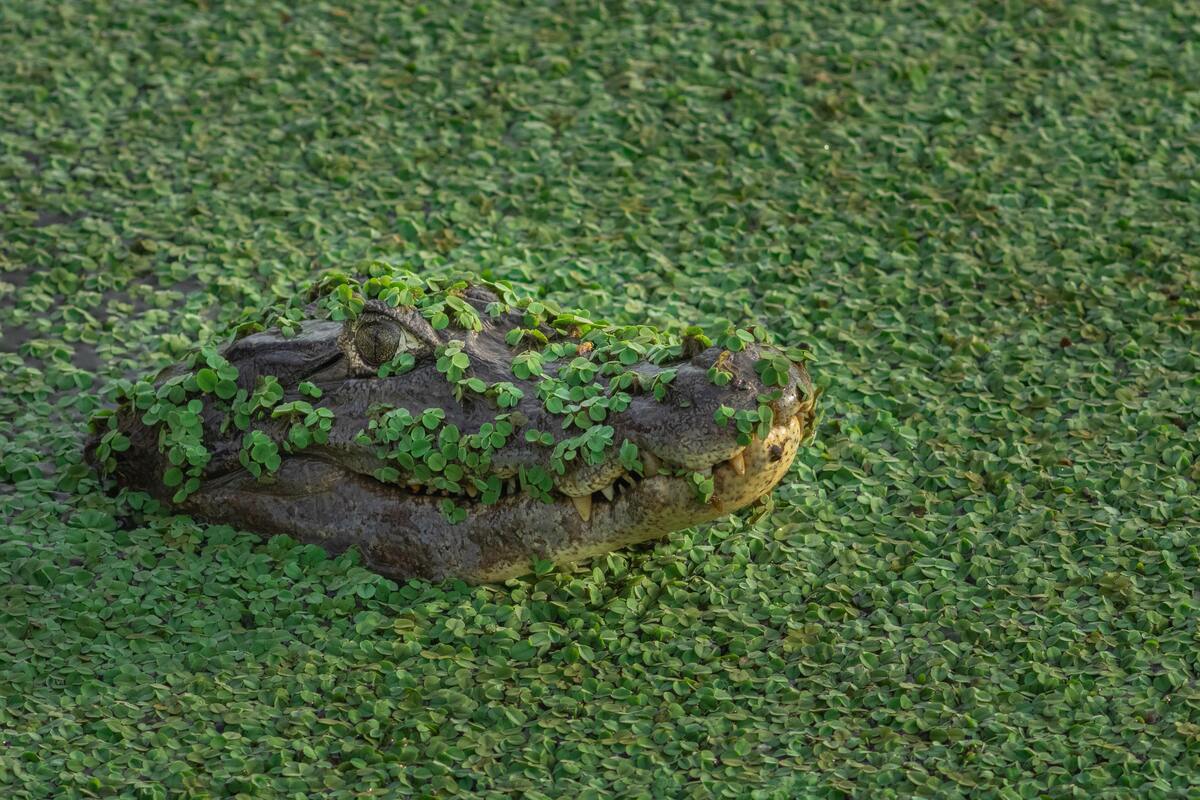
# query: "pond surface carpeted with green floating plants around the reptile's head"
980,581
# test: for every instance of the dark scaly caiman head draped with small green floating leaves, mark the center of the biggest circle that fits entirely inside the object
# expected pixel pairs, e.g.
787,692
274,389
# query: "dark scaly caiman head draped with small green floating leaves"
448,429
